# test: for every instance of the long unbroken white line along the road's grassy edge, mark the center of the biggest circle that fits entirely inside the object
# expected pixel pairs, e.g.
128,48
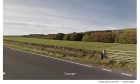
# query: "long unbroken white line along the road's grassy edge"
51,57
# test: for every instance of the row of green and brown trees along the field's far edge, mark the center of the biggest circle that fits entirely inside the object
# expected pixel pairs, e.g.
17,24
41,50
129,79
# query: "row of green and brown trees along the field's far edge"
108,36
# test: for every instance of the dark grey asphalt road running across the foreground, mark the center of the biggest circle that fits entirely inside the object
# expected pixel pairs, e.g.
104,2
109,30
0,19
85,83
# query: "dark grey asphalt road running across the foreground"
18,65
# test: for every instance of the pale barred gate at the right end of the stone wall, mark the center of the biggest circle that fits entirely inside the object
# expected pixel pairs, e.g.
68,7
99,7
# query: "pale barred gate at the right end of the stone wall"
119,55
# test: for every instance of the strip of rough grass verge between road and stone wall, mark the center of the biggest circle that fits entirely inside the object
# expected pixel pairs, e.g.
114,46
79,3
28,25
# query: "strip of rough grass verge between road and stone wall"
103,63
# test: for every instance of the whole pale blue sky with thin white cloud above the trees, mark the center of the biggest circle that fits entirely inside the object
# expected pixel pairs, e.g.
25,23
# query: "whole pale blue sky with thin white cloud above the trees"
22,17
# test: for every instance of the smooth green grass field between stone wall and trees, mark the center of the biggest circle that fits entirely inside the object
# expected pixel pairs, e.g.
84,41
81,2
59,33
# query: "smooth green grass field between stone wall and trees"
76,44
